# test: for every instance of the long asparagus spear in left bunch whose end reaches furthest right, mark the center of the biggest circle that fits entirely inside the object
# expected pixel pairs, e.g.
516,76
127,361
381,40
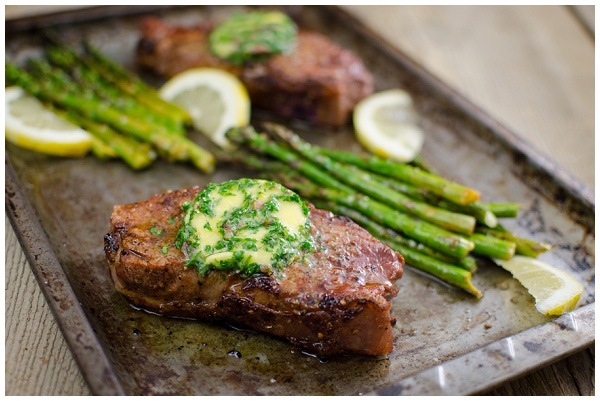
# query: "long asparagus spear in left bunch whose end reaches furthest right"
170,147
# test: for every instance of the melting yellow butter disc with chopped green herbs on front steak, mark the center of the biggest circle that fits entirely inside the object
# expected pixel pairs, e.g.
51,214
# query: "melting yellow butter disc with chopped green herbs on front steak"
246,226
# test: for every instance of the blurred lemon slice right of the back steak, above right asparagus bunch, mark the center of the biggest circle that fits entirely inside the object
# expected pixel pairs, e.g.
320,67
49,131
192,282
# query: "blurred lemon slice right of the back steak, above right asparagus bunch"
386,124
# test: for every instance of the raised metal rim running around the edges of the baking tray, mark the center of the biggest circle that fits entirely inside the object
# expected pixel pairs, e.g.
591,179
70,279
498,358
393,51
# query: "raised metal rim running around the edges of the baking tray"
85,346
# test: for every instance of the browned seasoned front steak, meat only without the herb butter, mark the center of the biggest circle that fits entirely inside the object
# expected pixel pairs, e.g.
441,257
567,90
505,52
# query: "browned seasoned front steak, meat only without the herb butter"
338,303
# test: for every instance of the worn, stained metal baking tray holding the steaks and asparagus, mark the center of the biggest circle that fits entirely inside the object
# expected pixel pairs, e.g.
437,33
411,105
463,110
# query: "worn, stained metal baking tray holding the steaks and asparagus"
446,342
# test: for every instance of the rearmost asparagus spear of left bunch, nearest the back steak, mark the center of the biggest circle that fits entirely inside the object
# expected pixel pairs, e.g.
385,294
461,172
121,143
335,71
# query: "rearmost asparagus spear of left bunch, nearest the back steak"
133,85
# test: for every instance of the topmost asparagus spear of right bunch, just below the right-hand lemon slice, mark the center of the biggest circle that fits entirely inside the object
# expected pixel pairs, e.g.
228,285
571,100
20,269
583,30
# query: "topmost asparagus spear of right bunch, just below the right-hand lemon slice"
446,189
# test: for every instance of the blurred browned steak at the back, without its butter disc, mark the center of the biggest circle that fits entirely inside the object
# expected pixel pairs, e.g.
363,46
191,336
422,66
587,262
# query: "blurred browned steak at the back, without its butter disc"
318,82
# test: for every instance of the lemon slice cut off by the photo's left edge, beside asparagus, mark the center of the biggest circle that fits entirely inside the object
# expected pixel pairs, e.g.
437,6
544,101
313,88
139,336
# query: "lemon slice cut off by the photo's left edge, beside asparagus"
30,125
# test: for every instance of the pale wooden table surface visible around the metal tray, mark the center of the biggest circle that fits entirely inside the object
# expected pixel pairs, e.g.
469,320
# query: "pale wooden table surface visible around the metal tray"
531,68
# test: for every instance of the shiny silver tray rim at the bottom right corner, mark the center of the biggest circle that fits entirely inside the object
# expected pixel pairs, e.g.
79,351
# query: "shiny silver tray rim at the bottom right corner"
498,361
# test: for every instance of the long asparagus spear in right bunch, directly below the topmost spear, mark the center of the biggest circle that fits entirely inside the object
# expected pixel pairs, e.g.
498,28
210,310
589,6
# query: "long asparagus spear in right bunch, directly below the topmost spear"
365,183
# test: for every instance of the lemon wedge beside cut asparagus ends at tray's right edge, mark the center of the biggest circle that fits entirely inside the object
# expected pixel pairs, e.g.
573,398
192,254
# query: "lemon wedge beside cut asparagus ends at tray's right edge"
555,291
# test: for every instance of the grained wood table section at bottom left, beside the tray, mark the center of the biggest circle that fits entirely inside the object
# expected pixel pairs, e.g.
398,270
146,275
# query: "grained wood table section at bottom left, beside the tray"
37,359
